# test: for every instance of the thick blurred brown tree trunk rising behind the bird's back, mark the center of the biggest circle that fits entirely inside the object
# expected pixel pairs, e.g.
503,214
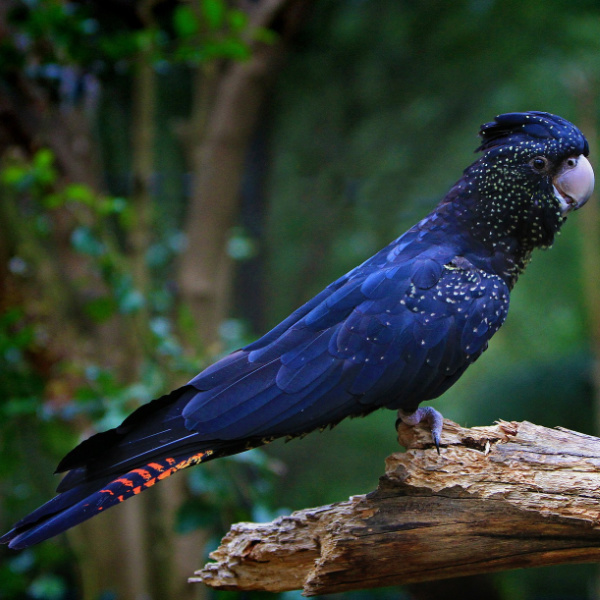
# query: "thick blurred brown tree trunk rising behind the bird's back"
226,108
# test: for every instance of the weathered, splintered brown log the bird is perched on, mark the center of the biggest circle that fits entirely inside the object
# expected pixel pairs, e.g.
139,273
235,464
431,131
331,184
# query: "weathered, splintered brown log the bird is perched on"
509,496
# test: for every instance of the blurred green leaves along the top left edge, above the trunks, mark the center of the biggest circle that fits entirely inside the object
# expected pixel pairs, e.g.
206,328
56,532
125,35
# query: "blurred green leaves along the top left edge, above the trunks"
63,34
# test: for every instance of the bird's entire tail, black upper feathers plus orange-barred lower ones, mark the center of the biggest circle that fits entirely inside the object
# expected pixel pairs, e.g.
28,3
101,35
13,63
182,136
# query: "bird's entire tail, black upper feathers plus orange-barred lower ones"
109,467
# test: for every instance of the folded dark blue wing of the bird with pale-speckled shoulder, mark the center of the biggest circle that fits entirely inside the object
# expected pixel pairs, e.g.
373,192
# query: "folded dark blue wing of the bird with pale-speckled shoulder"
391,335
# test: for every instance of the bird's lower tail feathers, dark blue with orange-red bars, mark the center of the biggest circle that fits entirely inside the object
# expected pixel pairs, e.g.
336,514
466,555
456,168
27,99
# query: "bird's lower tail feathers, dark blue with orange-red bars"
87,500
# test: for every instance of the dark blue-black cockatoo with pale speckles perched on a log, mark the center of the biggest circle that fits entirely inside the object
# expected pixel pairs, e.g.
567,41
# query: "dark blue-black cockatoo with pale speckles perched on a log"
397,330
